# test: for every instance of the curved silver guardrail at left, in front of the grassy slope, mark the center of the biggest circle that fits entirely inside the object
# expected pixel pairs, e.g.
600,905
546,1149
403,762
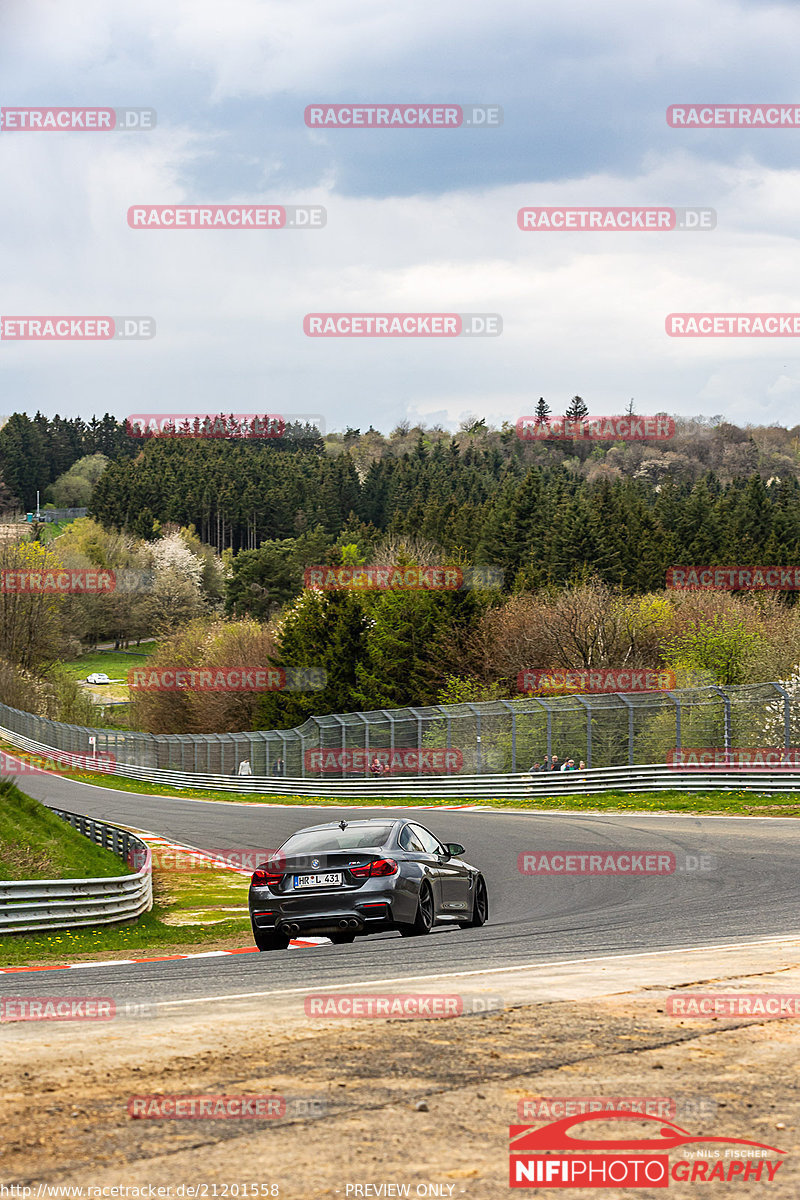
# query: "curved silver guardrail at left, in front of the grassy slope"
31,907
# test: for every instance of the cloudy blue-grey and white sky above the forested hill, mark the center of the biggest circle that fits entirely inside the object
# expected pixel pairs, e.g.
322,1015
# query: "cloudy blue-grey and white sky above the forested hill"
418,221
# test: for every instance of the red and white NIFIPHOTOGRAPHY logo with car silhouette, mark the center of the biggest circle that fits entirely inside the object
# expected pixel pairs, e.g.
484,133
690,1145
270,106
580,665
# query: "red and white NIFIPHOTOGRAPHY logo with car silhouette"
554,1156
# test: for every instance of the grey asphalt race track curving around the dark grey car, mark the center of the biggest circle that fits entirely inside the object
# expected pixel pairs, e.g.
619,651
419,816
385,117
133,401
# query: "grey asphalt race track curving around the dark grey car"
751,890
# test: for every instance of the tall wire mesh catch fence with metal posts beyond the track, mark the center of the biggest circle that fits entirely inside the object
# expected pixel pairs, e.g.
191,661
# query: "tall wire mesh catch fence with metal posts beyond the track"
471,740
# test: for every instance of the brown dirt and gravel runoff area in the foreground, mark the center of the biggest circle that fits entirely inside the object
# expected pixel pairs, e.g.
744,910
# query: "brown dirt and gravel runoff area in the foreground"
378,1107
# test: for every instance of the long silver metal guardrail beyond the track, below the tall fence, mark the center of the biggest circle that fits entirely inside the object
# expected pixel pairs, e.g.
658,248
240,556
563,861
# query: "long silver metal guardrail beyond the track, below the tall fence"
591,782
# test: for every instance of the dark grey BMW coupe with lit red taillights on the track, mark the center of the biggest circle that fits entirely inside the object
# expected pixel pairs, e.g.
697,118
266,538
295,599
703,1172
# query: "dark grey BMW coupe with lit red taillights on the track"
346,880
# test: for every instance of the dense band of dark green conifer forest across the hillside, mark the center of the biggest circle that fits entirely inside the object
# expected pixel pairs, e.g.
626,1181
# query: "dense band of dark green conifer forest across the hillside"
543,525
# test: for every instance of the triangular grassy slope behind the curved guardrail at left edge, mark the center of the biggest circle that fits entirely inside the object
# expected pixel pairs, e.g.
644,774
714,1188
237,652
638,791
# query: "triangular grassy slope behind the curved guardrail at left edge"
38,845
